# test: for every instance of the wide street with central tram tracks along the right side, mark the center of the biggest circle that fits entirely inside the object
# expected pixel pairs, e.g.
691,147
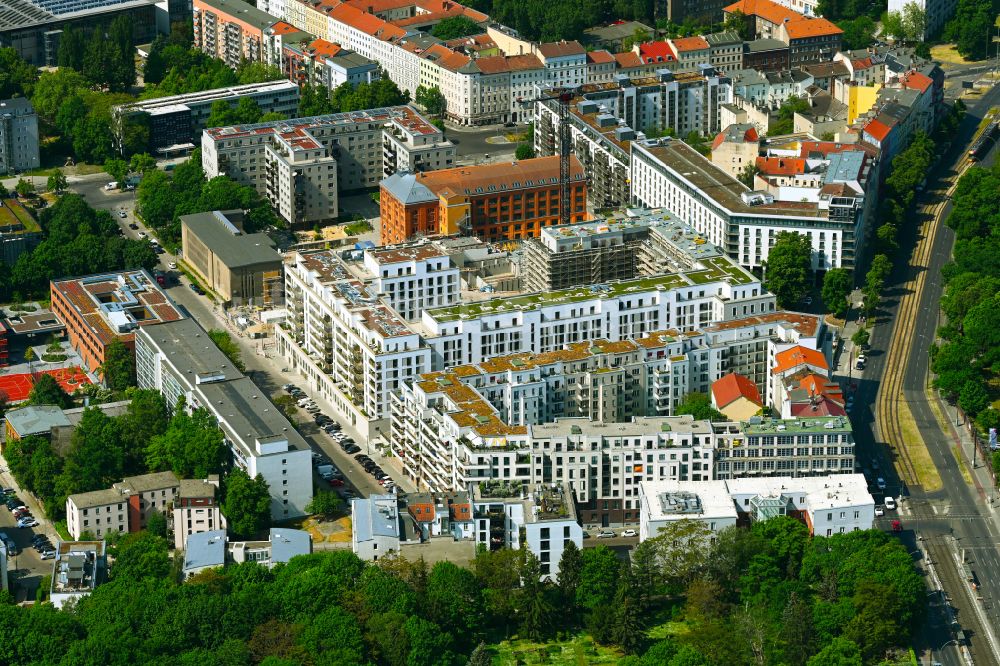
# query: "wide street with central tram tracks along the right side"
938,523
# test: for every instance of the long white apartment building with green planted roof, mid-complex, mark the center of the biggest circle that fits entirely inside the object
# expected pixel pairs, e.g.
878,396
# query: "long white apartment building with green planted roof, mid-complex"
707,288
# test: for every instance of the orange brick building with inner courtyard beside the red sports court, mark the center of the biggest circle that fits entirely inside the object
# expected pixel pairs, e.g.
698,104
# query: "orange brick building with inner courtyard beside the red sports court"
99,308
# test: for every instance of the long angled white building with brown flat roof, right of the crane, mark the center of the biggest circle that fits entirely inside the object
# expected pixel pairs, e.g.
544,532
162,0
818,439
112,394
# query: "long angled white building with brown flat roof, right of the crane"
670,174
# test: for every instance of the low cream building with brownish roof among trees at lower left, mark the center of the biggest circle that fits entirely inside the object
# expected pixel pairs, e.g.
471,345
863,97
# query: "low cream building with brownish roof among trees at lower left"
125,507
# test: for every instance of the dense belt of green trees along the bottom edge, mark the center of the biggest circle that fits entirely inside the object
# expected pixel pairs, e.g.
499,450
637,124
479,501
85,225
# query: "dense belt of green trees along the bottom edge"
769,594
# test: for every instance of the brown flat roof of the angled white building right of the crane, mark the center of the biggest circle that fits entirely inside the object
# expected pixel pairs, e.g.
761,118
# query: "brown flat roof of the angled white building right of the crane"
719,185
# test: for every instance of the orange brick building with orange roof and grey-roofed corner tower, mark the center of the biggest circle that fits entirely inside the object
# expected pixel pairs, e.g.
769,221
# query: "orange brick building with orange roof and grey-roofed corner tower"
495,202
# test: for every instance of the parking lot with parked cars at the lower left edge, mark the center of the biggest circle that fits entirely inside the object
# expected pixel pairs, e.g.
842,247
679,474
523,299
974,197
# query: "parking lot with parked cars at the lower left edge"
25,563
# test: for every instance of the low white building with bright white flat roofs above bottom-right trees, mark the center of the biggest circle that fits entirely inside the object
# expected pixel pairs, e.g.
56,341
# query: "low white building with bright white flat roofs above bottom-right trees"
828,505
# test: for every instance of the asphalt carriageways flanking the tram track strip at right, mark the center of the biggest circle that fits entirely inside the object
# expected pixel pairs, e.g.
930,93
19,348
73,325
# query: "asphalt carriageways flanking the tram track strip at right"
954,515
